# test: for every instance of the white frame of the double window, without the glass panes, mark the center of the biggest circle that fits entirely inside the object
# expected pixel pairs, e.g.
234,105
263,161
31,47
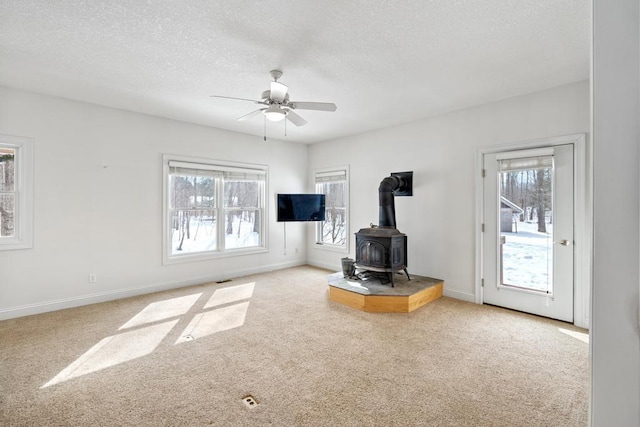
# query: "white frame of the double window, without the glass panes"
220,252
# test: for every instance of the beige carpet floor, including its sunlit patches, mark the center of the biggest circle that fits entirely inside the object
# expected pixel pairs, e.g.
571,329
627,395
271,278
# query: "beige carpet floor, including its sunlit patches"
187,357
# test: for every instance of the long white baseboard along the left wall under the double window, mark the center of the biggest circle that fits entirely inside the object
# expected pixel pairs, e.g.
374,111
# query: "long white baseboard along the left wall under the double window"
60,304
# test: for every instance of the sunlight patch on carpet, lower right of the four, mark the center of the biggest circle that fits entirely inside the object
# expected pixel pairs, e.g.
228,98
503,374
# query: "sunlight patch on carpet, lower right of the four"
214,321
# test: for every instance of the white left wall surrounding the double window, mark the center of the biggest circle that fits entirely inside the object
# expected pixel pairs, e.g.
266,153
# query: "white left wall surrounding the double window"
98,205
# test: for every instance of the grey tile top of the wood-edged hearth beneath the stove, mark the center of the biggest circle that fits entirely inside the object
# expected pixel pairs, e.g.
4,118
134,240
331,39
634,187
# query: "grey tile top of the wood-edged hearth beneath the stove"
403,286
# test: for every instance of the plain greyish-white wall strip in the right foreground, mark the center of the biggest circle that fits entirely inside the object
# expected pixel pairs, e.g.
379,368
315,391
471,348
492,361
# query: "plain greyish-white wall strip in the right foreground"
615,342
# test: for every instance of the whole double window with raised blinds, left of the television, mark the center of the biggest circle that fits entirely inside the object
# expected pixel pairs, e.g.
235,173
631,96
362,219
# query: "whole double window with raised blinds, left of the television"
213,209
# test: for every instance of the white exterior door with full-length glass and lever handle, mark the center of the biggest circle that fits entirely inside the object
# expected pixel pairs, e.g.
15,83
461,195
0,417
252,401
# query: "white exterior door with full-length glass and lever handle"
528,222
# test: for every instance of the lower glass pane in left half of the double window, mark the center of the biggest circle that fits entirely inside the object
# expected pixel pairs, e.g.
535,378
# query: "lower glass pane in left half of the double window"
193,231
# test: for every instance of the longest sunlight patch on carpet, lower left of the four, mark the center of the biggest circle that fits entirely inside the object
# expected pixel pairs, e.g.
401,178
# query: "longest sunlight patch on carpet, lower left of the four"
114,350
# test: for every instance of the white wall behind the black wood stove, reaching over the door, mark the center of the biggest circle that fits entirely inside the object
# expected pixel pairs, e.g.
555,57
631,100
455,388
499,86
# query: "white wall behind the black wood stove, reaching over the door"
439,218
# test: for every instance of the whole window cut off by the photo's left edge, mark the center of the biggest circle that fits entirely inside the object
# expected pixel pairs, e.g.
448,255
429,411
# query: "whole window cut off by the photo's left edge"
16,193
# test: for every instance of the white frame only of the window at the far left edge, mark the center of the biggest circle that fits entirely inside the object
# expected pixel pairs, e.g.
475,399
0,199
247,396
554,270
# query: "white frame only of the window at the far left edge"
23,217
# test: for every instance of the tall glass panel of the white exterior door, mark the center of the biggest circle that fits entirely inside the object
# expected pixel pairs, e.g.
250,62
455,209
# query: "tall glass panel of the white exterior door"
526,223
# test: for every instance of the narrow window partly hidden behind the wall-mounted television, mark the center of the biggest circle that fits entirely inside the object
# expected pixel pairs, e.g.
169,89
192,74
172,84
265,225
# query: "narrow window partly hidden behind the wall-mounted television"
333,232
